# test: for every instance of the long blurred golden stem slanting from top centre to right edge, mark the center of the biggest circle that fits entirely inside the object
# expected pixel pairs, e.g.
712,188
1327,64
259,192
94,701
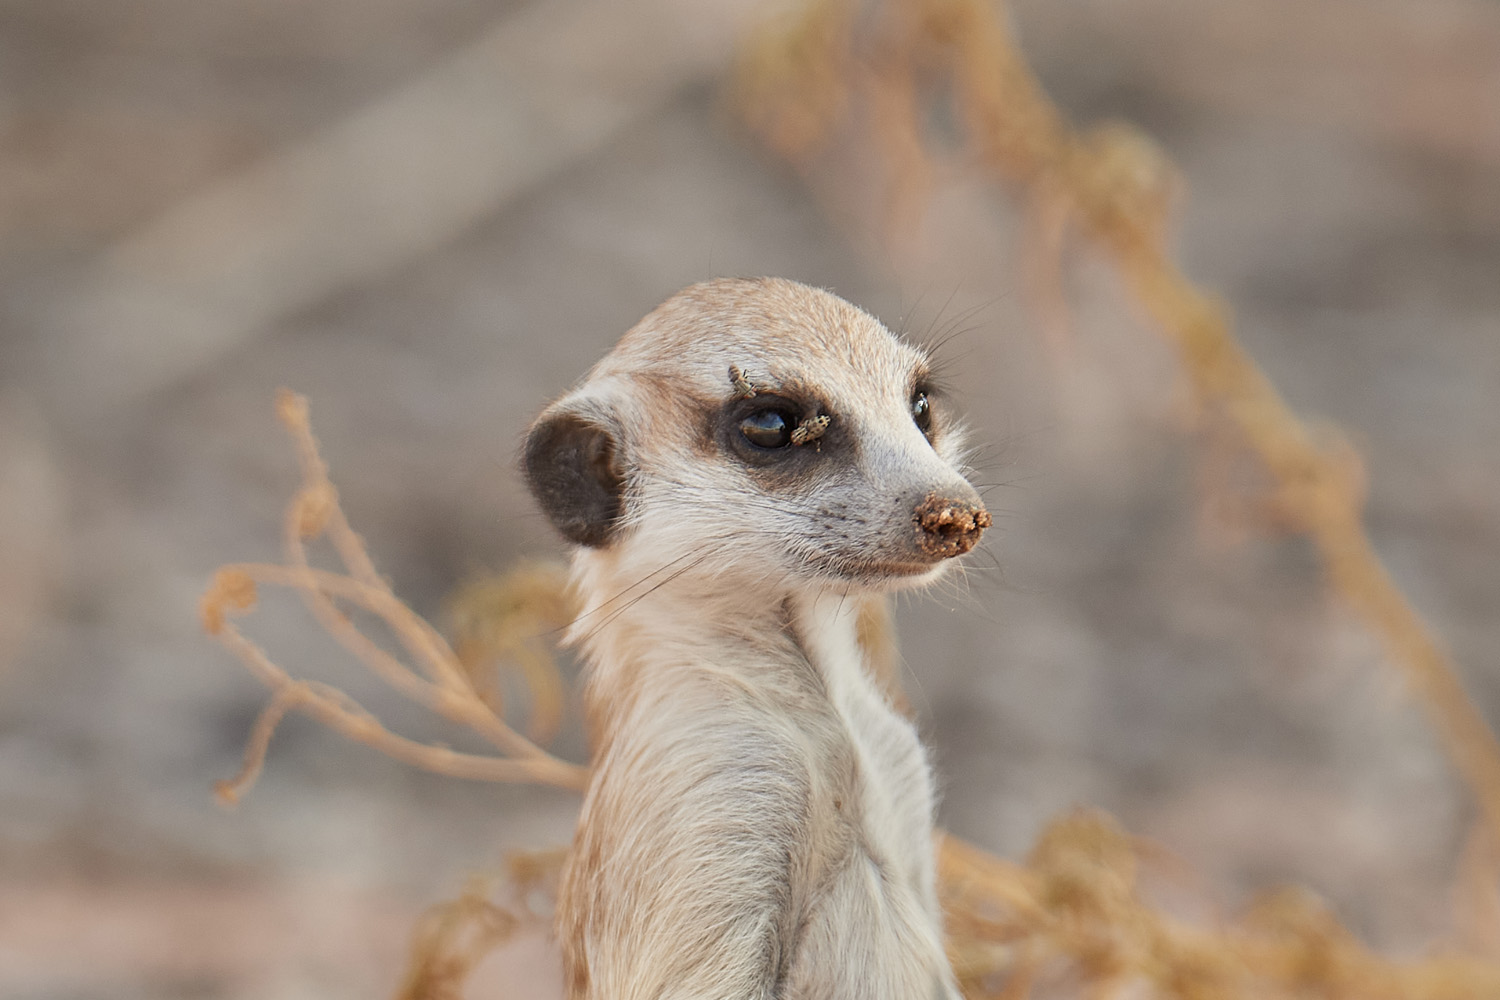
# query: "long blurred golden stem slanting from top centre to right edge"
1117,188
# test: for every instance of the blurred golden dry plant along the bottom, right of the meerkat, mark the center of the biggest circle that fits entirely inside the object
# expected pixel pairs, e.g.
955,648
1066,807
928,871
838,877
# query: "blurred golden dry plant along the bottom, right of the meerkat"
1075,908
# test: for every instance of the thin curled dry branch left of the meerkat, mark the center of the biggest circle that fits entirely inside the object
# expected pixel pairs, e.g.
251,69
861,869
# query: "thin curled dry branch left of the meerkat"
440,681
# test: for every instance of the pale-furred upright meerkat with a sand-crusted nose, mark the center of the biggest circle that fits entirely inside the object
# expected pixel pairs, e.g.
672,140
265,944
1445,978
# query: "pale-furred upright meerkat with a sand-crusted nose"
740,476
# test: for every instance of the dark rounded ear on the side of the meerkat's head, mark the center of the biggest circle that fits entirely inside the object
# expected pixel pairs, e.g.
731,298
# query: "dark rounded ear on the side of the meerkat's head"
572,464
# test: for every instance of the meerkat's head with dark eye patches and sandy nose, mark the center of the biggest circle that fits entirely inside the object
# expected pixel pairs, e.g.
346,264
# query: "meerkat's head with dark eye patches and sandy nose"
760,431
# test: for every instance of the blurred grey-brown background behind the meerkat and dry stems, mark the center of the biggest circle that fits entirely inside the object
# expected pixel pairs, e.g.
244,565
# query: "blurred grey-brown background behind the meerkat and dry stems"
434,217
